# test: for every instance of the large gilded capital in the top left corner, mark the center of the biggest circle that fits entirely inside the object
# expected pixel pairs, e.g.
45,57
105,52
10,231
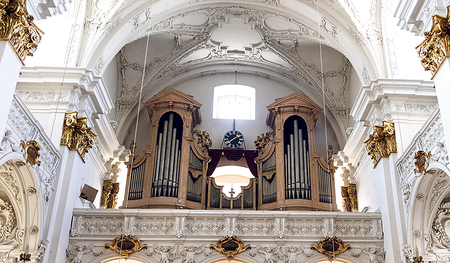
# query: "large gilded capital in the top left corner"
17,27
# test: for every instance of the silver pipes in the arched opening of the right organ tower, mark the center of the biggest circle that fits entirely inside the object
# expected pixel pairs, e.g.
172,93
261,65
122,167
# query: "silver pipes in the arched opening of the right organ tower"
297,179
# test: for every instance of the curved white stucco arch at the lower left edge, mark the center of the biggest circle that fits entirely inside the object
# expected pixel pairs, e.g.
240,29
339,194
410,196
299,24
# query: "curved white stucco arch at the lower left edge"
19,182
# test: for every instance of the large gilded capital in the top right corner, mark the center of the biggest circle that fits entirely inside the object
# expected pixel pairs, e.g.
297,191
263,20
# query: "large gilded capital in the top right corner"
436,46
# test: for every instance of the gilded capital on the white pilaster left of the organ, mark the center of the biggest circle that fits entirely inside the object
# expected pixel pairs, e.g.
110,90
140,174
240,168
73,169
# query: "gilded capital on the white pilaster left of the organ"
76,135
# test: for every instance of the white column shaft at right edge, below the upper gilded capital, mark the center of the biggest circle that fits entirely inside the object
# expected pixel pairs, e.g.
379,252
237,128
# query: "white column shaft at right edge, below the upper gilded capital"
442,85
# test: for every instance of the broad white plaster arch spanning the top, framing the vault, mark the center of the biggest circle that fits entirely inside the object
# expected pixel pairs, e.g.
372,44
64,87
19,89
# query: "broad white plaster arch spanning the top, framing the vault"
105,47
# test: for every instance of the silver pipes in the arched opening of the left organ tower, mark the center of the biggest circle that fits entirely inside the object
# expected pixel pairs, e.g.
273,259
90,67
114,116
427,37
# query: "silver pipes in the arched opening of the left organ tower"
165,178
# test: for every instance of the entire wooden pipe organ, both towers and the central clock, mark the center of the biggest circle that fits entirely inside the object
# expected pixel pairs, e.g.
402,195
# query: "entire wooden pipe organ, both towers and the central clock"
175,170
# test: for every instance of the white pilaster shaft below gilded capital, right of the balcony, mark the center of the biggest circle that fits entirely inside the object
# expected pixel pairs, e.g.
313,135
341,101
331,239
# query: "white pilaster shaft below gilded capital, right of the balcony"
391,207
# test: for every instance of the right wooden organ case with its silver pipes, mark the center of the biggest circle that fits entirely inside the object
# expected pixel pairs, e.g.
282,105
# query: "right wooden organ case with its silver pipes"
291,174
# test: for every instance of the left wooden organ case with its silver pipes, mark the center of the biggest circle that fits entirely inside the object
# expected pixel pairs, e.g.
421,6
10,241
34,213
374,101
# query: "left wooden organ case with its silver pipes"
171,173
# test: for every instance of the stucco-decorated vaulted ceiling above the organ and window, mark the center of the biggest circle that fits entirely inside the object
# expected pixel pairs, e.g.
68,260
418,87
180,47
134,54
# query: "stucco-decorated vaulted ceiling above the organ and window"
212,39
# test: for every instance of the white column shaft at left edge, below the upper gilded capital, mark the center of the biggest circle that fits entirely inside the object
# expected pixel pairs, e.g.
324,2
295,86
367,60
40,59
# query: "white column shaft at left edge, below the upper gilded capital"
9,73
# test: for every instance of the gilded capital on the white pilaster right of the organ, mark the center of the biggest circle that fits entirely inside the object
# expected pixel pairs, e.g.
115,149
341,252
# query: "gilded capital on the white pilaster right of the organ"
382,143
